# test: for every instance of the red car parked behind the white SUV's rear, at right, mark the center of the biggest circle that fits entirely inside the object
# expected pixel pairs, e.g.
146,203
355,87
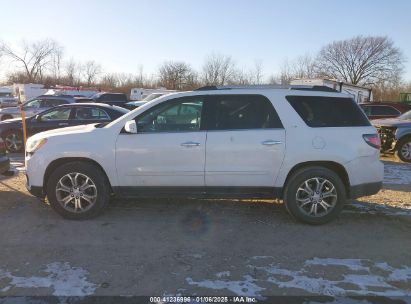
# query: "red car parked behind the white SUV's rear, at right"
378,110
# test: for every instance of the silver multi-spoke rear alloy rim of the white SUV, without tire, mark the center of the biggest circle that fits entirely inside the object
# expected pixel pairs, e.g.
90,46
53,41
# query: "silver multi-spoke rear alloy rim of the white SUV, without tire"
316,197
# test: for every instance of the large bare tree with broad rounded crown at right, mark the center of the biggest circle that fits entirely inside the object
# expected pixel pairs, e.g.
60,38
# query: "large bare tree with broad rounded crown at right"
361,60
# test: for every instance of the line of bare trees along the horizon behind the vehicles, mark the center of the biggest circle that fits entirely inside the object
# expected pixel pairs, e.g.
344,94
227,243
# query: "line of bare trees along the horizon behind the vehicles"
363,60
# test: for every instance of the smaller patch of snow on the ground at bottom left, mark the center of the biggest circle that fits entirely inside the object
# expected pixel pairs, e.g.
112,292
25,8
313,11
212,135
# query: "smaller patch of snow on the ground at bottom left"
64,279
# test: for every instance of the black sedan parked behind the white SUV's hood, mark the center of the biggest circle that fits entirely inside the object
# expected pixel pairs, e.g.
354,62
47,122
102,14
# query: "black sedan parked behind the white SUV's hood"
59,117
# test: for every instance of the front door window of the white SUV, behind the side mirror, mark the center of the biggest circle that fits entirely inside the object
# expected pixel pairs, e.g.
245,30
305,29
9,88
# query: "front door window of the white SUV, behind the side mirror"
179,115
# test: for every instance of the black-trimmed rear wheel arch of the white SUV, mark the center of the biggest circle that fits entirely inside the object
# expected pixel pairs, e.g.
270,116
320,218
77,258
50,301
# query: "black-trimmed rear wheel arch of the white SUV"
333,166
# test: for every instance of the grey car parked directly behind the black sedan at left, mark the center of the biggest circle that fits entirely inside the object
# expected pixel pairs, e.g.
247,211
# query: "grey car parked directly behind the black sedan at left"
37,105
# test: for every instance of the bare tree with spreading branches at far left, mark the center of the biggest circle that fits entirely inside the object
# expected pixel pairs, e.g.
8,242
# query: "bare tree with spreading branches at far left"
33,57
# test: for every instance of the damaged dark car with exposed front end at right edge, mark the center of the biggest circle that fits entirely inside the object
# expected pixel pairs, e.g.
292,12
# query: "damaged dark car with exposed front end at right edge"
395,134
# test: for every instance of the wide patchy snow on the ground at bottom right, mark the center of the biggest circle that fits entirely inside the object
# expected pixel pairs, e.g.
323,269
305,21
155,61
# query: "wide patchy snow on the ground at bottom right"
359,277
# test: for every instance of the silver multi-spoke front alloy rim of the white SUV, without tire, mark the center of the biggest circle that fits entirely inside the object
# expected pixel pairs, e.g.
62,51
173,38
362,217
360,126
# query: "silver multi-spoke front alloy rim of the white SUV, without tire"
76,192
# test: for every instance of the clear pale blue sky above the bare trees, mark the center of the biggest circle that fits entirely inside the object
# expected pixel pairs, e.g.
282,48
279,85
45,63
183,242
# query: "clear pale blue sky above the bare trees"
122,35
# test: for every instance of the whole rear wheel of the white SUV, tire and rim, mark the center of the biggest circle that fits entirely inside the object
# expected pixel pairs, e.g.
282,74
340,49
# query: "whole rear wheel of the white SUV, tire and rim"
299,202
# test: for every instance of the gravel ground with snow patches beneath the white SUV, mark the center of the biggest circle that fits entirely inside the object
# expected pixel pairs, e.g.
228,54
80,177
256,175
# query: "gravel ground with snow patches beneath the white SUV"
207,247
